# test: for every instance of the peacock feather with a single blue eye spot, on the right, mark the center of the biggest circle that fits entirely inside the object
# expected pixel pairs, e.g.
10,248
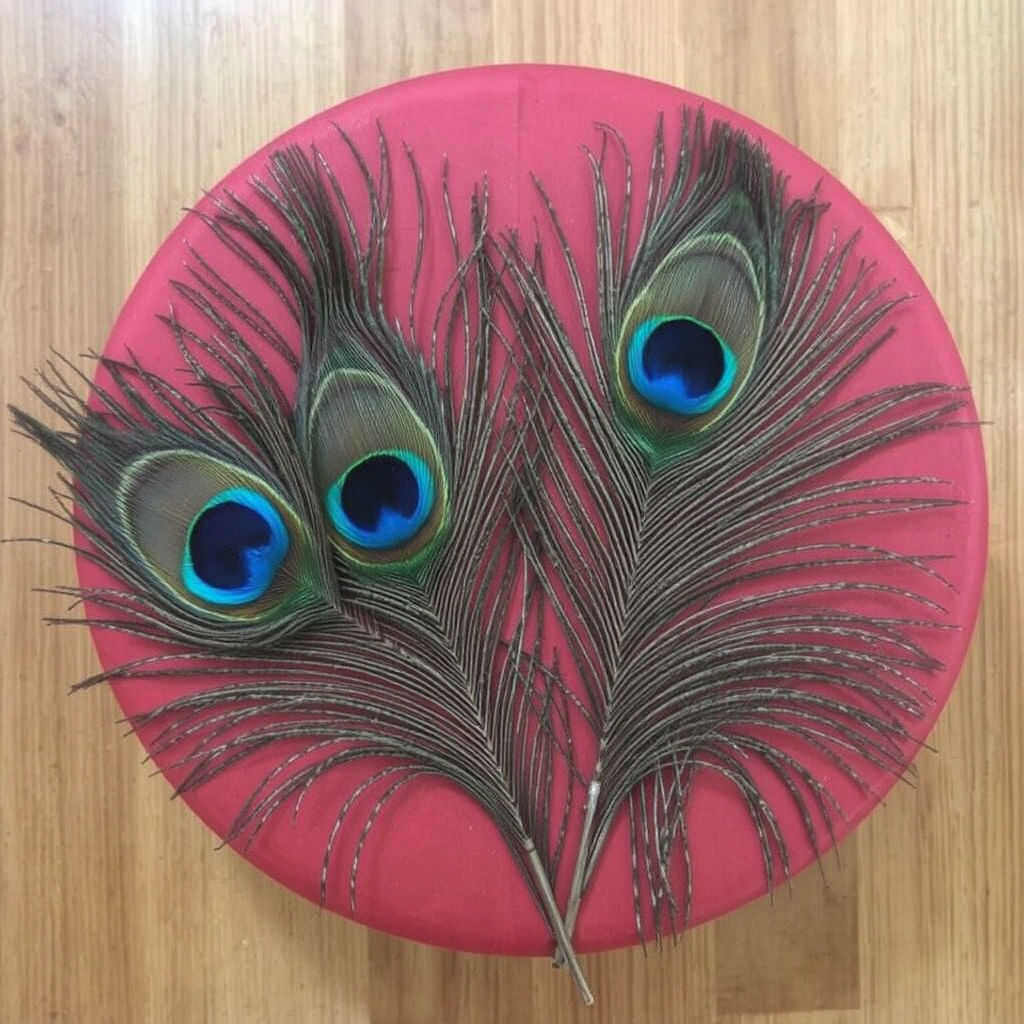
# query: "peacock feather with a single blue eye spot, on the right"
698,504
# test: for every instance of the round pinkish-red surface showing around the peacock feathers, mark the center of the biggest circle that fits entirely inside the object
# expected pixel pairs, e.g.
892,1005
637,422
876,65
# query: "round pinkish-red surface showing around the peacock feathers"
435,869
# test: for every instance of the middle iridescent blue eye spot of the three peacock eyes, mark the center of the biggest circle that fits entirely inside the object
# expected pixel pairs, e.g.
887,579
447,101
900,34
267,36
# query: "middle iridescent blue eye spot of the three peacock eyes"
383,500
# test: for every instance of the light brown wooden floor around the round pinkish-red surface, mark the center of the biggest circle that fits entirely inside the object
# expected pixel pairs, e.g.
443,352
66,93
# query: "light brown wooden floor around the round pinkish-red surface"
114,907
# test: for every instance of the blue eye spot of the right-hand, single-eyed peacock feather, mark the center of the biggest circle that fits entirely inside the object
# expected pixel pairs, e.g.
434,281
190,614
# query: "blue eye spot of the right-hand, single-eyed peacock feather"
680,365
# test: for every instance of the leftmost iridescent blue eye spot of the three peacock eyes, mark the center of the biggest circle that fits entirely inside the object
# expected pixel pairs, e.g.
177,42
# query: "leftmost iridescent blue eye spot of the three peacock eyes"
234,548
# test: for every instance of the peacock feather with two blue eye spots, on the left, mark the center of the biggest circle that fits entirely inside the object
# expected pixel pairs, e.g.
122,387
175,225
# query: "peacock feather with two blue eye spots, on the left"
339,568
